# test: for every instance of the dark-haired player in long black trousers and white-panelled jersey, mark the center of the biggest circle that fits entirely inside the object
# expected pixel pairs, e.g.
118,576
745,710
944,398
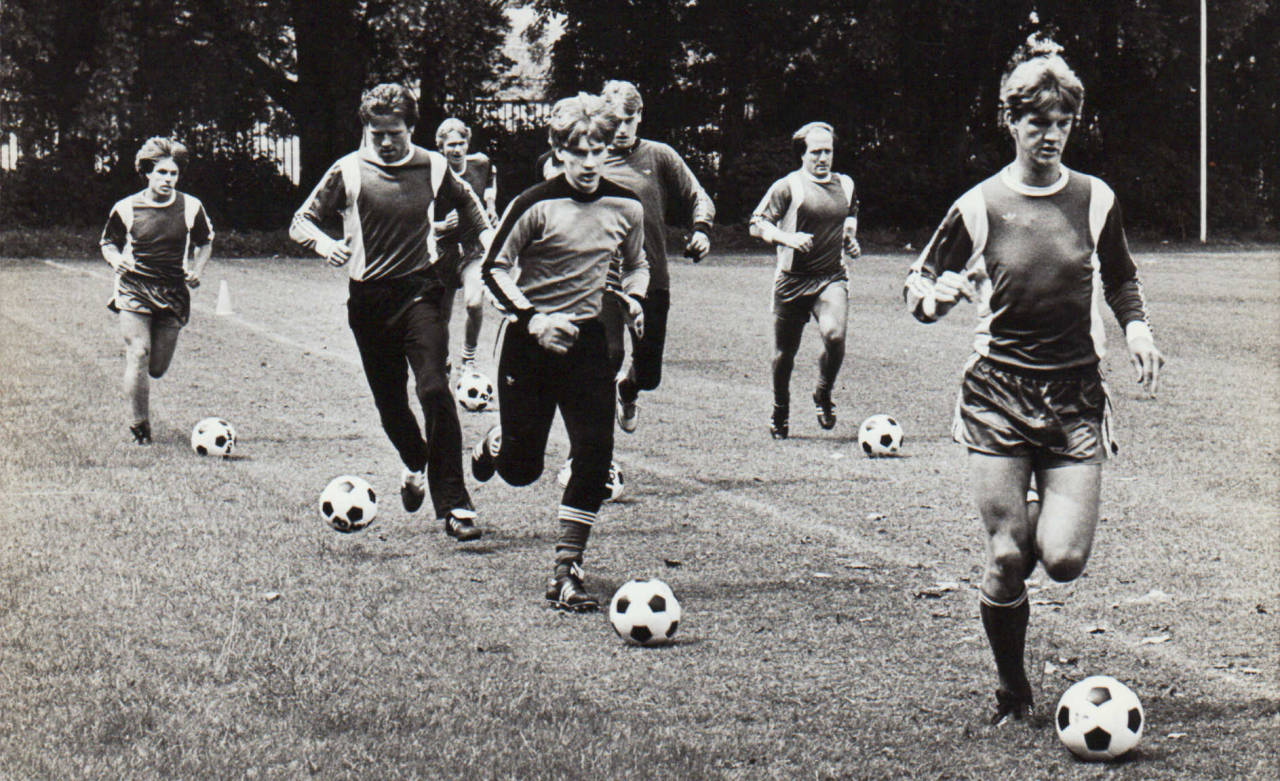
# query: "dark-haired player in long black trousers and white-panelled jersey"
399,307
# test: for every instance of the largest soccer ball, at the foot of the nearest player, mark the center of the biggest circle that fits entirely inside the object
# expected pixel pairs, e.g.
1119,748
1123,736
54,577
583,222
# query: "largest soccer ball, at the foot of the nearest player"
1100,719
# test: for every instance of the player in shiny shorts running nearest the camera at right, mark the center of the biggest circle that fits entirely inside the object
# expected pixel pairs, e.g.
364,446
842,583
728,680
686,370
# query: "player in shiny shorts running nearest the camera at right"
1039,248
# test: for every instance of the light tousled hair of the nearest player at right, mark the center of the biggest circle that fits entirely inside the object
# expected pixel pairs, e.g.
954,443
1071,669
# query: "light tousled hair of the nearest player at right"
1037,80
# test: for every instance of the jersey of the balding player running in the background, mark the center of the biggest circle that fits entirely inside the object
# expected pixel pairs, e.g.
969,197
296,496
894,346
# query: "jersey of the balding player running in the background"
798,203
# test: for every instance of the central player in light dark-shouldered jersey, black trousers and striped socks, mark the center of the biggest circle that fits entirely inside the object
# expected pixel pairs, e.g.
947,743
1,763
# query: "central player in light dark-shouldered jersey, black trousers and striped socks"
563,235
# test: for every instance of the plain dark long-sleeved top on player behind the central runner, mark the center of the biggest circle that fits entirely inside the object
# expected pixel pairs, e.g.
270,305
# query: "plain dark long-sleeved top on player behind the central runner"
668,189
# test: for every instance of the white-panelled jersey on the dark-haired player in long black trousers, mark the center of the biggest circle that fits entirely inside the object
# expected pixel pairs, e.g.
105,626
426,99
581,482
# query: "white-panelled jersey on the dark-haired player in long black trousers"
386,212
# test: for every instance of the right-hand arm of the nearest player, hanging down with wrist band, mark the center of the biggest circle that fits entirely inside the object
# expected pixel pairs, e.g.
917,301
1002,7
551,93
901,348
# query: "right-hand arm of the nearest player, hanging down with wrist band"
1123,293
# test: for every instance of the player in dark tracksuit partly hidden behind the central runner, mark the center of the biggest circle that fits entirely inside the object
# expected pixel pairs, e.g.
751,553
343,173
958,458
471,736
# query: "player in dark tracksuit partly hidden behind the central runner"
665,184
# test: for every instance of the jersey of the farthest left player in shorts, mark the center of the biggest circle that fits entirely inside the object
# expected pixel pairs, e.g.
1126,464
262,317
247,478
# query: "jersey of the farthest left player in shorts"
158,236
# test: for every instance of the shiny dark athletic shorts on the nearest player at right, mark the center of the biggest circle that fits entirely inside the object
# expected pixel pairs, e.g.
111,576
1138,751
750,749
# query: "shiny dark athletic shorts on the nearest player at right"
1053,417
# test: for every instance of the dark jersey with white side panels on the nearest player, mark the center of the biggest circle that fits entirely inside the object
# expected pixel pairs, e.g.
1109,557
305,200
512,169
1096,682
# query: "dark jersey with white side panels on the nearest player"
1045,261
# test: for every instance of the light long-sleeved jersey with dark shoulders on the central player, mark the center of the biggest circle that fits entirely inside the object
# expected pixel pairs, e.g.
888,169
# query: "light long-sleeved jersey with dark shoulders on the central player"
563,243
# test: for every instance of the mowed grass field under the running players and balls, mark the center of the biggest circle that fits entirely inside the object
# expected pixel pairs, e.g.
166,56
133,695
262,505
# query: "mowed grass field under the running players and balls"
164,615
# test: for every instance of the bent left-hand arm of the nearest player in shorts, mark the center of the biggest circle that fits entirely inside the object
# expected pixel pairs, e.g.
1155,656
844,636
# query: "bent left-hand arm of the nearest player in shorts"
938,280
